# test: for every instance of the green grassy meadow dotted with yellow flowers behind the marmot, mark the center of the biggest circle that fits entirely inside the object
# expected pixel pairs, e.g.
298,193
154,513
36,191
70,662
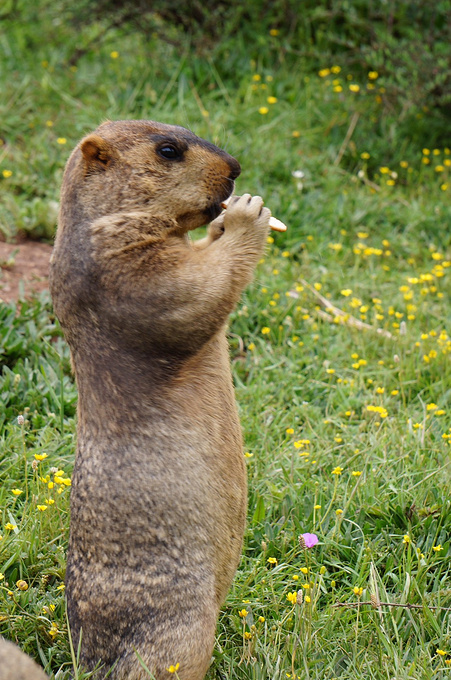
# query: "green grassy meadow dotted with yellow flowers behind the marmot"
340,348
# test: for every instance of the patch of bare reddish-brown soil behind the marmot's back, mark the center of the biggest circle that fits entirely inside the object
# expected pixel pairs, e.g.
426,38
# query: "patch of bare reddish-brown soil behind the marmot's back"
26,262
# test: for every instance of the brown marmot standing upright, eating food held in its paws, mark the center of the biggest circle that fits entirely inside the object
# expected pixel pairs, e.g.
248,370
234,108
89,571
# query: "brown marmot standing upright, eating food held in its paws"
158,499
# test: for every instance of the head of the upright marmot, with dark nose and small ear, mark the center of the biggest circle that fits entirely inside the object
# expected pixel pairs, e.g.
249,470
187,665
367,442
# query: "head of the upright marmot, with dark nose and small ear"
142,165
